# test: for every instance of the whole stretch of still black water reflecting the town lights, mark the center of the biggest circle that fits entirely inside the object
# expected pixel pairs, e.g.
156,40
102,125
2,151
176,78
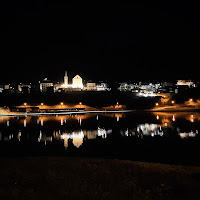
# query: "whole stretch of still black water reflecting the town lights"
167,137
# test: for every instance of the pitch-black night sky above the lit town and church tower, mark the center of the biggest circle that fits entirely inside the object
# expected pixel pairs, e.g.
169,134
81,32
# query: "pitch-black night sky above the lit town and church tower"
147,40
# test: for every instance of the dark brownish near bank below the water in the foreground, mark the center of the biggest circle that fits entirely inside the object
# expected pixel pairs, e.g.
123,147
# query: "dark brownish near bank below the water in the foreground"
84,178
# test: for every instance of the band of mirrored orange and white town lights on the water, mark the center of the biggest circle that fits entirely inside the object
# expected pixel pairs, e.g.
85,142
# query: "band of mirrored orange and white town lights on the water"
77,129
